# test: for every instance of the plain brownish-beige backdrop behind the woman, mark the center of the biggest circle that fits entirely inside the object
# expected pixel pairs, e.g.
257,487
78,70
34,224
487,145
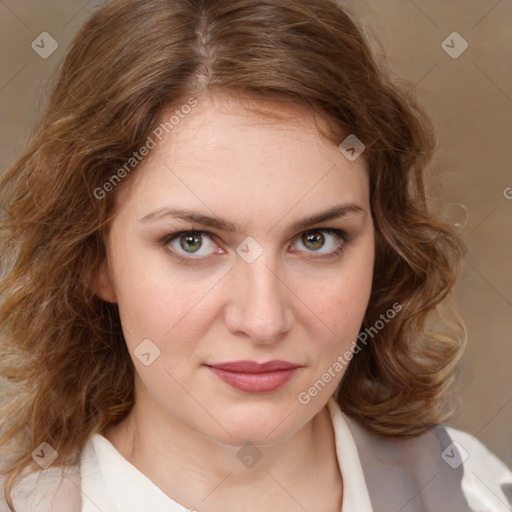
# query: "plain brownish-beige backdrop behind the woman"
470,101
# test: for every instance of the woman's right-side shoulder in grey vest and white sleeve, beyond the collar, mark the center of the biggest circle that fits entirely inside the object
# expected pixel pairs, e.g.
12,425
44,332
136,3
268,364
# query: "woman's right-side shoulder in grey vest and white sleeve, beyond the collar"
444,467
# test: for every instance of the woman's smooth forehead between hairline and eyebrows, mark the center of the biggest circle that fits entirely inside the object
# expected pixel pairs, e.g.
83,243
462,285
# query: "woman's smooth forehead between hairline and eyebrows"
223,150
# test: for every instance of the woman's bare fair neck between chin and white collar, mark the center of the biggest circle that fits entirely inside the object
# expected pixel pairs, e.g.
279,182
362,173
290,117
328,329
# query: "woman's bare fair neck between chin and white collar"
197,471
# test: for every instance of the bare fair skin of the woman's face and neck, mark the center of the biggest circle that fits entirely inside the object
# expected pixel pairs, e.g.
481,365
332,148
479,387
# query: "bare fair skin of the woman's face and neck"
297,301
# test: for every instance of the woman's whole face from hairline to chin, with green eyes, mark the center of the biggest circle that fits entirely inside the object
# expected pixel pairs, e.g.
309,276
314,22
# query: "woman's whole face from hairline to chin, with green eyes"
253,281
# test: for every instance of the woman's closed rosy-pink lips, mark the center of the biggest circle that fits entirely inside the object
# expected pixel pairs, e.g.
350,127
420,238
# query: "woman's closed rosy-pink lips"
253,377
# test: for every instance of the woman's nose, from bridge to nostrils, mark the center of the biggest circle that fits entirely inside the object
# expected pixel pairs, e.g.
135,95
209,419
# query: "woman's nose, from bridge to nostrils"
259,305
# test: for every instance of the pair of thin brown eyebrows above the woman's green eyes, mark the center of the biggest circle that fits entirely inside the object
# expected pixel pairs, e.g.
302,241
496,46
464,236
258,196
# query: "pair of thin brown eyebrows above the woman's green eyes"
335,212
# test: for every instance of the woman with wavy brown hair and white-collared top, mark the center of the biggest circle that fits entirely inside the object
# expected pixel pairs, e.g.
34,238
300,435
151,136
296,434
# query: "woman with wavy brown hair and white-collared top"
218,267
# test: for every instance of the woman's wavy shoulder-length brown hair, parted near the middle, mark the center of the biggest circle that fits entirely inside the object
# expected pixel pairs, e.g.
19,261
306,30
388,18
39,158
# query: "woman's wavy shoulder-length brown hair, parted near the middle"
65,367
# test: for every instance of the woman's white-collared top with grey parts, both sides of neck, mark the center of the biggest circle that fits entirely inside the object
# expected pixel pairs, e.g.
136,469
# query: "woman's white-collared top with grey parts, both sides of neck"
105,481
